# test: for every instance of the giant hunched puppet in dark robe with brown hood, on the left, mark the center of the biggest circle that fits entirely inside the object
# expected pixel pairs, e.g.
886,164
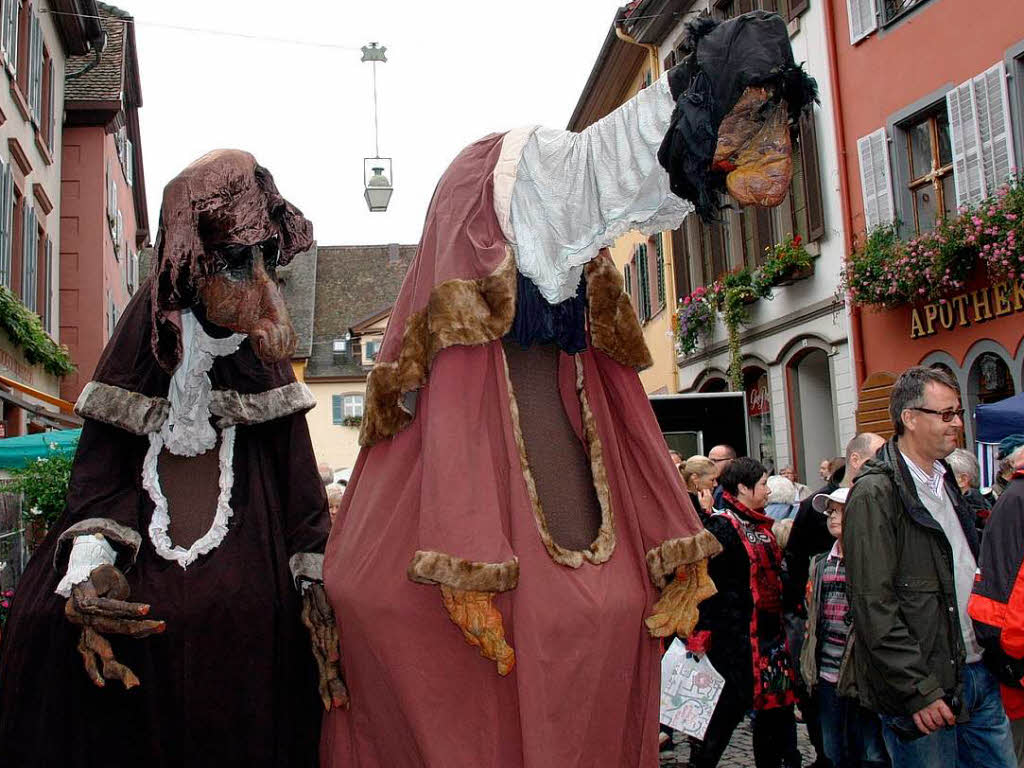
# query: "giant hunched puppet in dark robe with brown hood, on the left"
161,623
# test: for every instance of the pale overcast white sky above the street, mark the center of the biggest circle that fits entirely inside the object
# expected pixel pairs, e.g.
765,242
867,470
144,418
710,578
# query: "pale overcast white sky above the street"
456,72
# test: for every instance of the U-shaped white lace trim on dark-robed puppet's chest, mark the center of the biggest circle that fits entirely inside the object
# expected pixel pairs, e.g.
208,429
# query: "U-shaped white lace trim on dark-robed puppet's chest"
161,517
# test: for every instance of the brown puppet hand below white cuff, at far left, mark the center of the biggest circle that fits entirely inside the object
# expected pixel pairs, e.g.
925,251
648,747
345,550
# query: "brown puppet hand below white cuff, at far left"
100,606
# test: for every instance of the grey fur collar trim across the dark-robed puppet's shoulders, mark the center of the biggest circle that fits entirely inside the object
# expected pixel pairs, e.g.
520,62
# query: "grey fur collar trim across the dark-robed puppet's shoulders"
141,414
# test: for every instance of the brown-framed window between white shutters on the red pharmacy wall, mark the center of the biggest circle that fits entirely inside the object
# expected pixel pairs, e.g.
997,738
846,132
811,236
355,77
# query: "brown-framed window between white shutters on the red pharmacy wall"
929,170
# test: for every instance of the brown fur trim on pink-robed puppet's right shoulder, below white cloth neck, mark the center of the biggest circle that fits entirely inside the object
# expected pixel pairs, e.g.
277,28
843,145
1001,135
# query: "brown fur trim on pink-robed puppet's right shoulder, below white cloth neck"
614,326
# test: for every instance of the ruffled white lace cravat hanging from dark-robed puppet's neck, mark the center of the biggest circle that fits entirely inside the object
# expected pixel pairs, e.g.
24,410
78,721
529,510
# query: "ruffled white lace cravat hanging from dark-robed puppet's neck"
188,431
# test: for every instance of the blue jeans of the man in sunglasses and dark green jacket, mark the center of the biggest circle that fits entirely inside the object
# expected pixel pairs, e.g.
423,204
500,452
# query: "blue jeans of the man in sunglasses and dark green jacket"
983,742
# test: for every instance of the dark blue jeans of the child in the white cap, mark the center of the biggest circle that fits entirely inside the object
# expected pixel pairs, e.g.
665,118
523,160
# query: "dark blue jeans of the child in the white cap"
851,736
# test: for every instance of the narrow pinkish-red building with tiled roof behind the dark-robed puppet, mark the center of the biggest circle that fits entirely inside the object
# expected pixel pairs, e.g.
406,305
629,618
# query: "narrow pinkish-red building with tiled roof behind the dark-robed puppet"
104,222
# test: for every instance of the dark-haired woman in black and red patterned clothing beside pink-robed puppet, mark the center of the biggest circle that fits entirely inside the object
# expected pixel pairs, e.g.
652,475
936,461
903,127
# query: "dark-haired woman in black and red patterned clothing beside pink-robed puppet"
741,628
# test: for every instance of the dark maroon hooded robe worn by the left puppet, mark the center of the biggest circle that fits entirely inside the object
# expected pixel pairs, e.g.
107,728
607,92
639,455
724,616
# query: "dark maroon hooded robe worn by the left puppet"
232,682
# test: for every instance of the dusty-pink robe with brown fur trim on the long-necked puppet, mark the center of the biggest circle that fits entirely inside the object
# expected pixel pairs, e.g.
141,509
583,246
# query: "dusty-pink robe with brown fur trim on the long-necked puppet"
443,494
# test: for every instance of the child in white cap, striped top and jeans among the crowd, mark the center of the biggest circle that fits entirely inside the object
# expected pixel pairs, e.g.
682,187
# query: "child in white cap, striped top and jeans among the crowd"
851,735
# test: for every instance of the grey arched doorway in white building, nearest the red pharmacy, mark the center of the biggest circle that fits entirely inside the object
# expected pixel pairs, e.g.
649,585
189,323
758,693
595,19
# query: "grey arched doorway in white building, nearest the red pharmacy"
813,407
